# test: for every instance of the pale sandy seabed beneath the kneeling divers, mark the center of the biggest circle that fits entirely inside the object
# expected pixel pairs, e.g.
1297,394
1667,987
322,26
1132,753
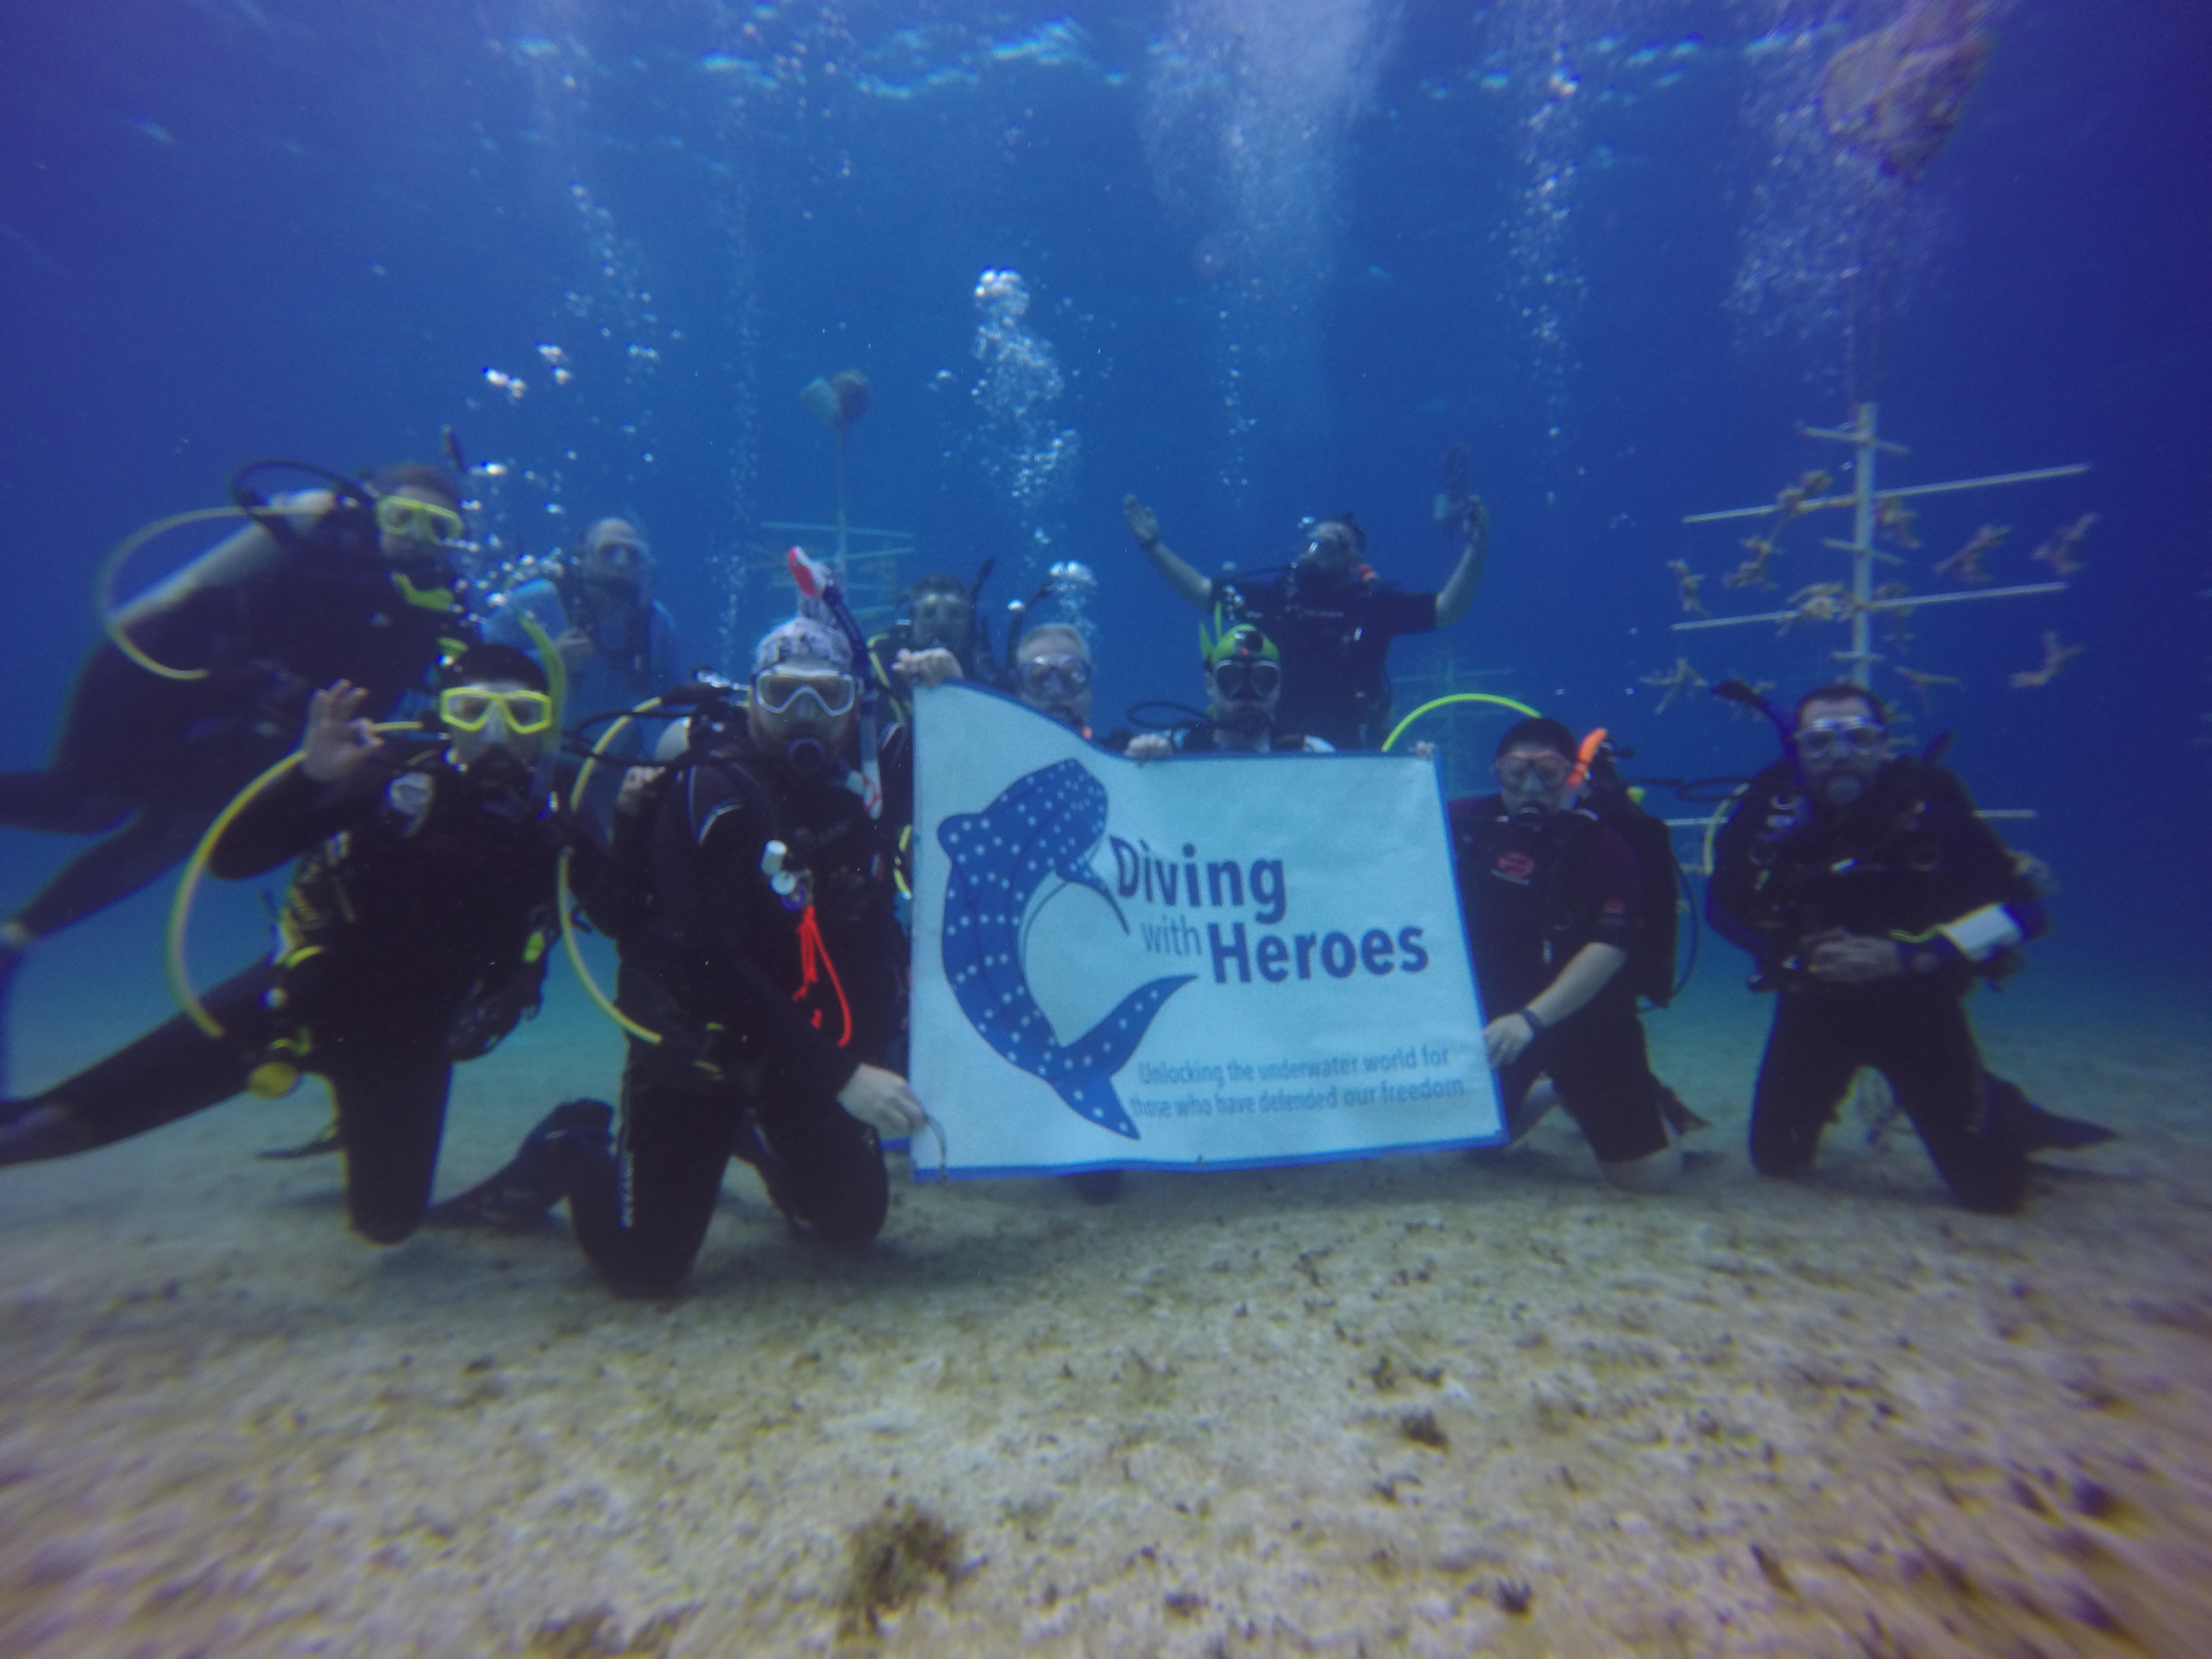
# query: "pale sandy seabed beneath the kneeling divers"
1417,1406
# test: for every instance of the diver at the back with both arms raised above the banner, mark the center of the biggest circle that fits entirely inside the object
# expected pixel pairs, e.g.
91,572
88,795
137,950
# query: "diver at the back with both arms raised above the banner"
1331,616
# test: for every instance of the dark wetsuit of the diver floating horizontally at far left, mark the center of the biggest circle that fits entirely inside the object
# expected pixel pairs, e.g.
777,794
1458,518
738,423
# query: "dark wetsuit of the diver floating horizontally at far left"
154,760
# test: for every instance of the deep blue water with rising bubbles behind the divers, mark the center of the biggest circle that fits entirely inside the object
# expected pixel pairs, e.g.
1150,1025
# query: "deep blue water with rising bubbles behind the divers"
1277,258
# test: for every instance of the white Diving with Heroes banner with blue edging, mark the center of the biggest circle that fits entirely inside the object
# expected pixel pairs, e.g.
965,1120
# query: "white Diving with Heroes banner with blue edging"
1211,961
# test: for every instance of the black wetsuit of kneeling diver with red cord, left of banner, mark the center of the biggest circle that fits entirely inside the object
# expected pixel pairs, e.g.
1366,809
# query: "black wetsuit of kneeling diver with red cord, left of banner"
764,1012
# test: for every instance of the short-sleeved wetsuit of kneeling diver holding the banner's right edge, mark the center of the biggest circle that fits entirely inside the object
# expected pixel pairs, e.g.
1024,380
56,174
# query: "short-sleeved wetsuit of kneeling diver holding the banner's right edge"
1536,890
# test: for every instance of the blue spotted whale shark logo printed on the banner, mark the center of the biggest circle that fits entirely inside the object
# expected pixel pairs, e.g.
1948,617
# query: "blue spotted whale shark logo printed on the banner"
1043,826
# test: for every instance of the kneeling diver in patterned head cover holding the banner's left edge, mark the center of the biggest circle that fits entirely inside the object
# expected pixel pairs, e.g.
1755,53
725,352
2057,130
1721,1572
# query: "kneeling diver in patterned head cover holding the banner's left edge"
751,901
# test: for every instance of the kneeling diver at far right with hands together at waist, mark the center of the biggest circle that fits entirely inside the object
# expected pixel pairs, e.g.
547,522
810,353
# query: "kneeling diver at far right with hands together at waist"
1872,899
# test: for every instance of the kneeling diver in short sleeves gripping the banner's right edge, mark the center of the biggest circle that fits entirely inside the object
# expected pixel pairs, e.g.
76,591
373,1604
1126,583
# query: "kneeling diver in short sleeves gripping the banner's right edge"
1561,919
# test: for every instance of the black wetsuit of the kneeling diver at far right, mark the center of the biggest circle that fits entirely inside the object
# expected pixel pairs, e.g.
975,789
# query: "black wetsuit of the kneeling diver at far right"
1910,859
